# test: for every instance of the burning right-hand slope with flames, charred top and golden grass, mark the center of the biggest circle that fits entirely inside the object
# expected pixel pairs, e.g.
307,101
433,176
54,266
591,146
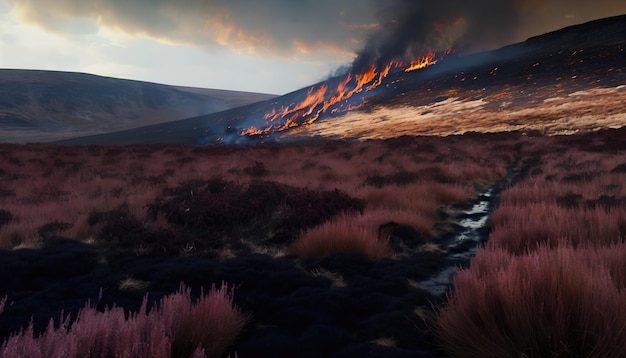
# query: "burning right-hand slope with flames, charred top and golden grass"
521,87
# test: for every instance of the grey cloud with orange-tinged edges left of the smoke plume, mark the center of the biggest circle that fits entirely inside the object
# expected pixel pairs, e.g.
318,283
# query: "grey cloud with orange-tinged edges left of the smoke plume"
300,30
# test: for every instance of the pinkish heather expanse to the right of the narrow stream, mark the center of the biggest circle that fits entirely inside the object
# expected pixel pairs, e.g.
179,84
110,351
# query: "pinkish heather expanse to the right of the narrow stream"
550,280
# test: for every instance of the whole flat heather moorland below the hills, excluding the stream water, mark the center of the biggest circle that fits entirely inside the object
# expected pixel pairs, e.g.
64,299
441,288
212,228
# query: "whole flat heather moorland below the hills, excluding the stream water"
315,248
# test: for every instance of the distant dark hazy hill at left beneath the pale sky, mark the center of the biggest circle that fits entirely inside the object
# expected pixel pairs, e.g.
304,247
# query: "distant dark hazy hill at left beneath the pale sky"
42,106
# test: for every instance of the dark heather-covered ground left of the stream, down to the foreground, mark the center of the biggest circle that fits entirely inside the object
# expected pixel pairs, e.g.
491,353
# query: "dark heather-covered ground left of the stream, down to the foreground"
325,242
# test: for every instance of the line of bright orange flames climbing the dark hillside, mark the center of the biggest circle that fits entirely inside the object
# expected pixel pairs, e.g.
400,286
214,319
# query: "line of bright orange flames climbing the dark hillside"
336,99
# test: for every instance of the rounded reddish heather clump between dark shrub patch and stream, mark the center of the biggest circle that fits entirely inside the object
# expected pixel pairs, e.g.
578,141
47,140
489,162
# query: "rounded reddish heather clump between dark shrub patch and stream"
343,234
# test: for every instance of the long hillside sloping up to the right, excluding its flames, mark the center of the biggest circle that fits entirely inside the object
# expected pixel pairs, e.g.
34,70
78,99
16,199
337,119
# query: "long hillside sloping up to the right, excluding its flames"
571,80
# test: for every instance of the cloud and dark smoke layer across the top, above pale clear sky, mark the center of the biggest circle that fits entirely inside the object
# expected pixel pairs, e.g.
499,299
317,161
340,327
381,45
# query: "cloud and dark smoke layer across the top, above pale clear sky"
320,30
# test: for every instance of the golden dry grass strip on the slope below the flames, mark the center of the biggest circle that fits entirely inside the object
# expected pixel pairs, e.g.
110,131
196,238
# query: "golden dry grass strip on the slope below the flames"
560,114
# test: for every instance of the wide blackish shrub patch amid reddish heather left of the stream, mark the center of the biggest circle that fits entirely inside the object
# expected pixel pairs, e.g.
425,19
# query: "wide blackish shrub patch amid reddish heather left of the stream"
219,206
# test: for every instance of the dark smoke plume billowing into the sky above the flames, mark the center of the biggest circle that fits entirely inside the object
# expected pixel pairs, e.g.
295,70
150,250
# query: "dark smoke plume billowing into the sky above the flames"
411,28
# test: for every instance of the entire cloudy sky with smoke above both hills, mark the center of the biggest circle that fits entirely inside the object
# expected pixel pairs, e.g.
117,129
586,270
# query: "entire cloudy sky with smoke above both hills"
268,46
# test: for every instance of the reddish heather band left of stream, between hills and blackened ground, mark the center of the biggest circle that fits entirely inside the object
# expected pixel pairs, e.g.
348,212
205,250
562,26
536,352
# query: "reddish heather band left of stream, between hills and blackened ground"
70,191
